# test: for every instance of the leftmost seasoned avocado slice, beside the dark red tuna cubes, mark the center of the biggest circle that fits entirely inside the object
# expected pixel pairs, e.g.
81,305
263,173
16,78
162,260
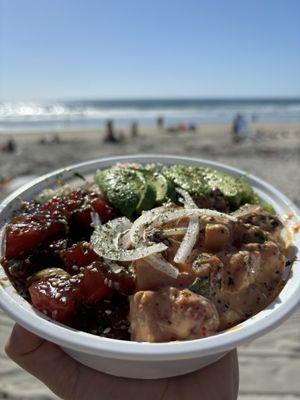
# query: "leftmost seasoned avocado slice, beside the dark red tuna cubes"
126,189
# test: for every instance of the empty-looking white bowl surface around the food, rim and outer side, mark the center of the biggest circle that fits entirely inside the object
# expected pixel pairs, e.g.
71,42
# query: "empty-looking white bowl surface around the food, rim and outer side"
148,360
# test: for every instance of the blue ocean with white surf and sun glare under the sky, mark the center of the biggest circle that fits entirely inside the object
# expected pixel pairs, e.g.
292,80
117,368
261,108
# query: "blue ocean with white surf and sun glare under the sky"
46,116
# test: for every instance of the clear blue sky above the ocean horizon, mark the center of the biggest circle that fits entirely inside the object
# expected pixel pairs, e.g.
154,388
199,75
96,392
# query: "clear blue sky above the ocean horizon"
81,49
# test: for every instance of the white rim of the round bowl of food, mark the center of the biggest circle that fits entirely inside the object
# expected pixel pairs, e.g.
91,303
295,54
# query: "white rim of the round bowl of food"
64,336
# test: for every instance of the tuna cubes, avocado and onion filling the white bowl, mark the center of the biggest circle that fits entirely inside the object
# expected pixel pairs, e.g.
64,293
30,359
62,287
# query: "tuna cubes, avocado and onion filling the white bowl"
148,253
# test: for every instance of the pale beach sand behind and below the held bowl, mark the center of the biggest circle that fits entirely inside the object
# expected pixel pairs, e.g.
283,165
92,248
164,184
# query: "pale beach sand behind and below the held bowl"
269,366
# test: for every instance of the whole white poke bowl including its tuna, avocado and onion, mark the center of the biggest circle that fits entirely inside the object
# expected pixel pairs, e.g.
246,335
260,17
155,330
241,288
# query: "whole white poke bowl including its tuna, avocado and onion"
147,347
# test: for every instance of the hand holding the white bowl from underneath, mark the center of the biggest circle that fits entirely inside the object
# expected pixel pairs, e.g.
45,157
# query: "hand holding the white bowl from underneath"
70,380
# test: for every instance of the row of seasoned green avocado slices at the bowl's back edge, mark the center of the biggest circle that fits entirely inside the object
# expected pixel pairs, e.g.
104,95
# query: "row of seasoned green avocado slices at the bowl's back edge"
132,190
